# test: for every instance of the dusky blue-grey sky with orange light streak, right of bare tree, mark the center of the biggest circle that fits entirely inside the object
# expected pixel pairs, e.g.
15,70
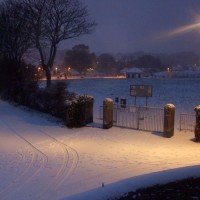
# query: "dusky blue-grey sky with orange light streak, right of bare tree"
154,26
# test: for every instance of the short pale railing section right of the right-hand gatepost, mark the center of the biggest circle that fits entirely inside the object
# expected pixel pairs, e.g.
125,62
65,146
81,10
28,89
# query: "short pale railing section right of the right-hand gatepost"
187,121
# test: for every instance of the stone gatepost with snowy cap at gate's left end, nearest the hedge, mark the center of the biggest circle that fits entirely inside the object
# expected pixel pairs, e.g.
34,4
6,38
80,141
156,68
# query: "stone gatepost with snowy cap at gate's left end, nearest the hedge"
107,113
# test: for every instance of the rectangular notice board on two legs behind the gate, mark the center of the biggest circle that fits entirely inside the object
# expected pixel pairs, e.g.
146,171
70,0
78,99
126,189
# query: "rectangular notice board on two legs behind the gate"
141,91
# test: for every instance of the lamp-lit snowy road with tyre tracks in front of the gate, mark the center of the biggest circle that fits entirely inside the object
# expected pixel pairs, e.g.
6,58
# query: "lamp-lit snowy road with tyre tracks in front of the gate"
40,159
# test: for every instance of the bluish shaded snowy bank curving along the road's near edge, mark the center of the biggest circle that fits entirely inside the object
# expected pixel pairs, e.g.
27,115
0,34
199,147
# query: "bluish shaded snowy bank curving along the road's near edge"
122,187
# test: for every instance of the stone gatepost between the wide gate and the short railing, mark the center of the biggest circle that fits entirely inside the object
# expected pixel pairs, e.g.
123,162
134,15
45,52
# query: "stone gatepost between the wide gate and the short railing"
169,118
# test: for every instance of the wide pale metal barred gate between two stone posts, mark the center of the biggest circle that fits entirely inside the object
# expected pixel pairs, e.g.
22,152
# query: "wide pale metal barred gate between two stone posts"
141,118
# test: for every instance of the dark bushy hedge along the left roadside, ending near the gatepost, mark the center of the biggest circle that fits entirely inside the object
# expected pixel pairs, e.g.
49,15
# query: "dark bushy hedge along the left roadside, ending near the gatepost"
75,111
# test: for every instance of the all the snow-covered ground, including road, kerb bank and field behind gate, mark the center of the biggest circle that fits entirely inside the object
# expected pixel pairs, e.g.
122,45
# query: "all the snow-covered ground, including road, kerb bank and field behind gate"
41,159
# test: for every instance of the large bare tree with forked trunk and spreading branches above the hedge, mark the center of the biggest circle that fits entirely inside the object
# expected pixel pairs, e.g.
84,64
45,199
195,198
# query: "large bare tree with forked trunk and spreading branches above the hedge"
54,21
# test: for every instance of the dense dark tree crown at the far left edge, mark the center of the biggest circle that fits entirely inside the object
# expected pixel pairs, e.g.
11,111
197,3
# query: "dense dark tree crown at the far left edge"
14,37
